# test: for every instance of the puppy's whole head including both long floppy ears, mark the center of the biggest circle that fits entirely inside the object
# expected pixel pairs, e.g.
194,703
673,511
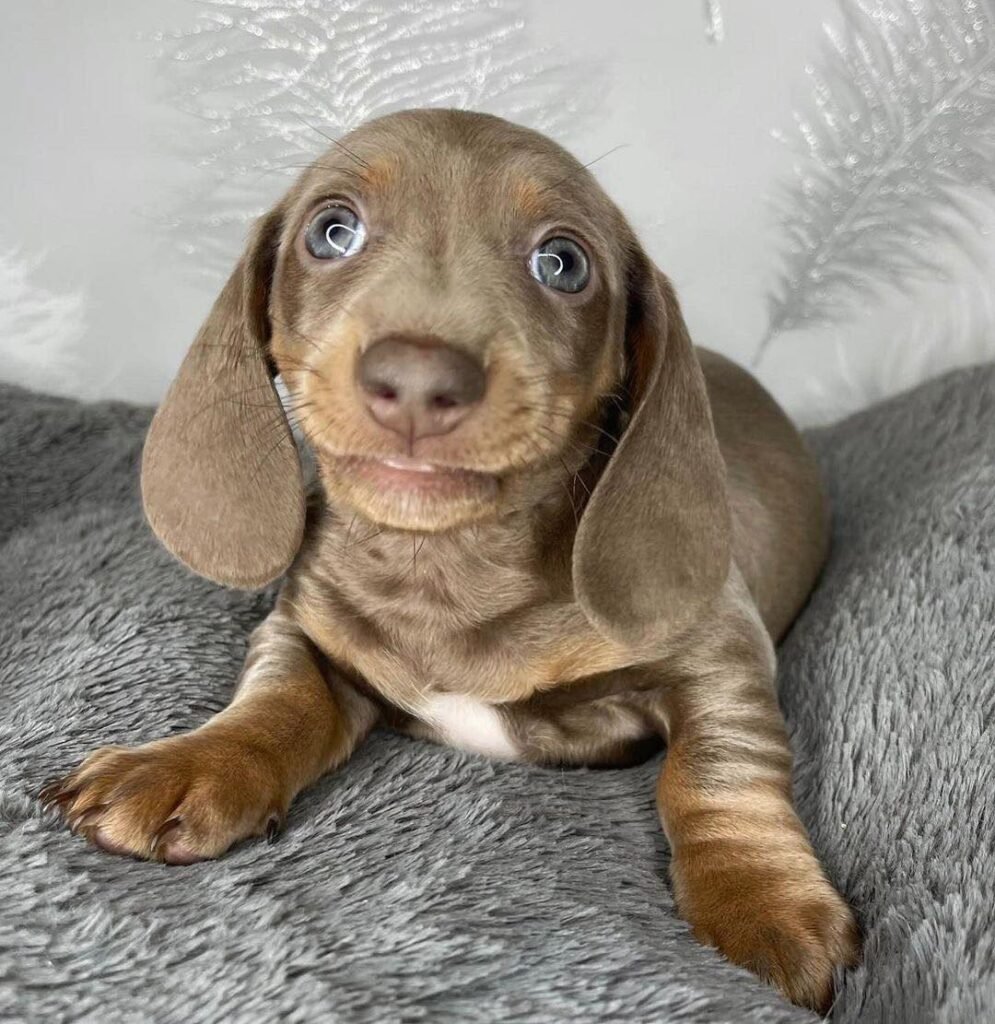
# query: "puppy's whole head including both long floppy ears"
453,304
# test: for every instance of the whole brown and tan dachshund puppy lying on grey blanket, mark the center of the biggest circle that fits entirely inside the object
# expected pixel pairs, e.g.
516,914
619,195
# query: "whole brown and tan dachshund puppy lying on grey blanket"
549,530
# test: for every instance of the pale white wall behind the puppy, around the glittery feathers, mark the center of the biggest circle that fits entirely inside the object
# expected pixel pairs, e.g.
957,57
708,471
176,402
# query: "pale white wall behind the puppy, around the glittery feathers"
103,190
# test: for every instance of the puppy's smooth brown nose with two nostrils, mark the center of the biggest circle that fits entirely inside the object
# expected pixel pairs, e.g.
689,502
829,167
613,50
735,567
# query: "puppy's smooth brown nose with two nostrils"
419,388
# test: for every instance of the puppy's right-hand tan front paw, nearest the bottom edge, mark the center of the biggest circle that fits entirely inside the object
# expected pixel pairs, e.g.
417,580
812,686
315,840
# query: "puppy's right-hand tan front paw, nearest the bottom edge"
786,924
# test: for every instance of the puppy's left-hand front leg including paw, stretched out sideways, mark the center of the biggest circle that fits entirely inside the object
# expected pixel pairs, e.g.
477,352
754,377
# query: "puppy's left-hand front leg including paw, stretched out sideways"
190,797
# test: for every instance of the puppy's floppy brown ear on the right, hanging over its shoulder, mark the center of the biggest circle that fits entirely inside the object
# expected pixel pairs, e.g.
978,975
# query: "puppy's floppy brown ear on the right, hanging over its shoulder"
654,546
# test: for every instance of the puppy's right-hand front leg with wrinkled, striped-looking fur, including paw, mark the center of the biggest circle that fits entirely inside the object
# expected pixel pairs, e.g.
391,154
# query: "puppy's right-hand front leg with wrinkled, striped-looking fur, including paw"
745,874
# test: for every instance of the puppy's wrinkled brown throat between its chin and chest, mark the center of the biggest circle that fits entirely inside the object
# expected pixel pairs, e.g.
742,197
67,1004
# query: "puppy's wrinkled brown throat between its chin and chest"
468,579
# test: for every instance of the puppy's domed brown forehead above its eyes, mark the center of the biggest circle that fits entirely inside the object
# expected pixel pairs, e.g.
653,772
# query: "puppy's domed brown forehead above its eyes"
439,157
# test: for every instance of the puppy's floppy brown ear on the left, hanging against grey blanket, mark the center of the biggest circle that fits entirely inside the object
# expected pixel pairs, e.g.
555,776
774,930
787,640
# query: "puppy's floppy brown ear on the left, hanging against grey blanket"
221,477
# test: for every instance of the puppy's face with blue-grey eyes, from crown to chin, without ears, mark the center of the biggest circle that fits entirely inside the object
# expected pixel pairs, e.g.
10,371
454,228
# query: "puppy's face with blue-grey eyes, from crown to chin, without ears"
448,309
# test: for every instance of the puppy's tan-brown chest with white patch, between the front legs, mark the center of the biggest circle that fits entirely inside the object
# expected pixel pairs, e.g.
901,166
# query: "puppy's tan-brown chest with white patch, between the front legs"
460,660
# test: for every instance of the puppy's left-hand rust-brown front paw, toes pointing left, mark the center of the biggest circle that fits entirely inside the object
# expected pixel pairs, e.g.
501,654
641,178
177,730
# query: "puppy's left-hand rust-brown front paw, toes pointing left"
179,800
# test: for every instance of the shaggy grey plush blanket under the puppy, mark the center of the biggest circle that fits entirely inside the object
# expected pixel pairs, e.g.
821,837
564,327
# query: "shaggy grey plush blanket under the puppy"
422,885
